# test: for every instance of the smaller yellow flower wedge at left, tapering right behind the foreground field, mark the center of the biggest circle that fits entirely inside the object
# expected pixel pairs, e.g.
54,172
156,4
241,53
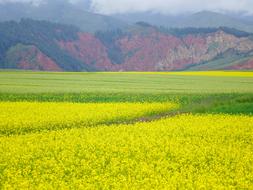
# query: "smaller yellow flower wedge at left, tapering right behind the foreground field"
23,117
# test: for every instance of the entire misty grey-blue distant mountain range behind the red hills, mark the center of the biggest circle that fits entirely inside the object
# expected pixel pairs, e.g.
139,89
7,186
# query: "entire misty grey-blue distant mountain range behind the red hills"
80,13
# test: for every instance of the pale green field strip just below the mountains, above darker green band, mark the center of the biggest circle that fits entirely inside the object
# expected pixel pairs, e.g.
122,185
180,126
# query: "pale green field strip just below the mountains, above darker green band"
30,82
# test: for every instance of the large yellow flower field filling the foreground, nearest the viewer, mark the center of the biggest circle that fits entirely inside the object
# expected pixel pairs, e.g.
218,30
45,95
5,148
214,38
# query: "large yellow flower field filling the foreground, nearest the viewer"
181,152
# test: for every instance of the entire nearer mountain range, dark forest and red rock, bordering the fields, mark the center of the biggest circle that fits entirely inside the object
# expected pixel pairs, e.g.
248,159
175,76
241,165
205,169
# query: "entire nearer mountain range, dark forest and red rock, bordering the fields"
42,45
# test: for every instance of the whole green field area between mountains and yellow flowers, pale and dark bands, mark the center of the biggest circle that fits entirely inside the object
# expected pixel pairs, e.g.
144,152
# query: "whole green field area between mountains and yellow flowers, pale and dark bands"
196,91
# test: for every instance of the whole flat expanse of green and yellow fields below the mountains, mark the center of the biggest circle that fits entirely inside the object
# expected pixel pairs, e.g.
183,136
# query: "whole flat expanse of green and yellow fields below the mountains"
175,130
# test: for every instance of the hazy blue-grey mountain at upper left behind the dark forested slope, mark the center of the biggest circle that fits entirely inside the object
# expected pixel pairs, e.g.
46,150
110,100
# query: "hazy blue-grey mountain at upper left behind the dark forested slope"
60,12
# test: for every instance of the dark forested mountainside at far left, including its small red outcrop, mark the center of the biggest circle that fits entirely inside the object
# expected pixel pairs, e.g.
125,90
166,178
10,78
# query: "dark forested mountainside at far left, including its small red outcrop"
32,45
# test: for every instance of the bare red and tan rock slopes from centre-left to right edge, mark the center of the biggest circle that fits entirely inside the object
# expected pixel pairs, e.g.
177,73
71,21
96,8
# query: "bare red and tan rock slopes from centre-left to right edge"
155,51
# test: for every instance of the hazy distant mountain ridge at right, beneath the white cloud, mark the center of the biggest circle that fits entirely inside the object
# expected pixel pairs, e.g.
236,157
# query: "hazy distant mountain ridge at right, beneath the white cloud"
204,19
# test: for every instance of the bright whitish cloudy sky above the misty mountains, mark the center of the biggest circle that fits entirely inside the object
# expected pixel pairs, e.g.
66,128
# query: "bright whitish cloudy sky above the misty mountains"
162,6
